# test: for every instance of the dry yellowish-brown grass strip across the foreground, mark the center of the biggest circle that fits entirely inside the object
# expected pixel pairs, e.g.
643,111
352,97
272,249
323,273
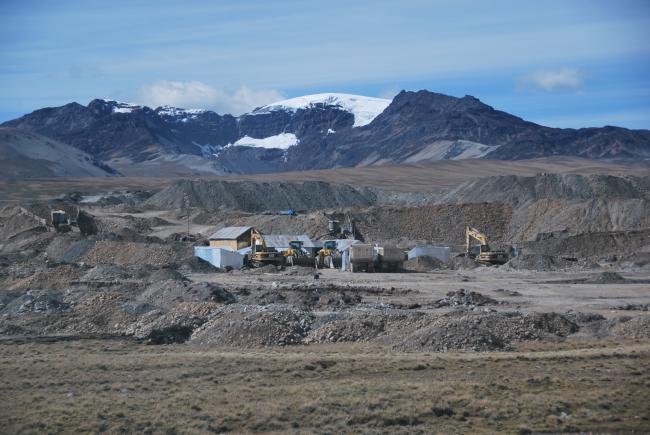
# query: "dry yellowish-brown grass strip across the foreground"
121,386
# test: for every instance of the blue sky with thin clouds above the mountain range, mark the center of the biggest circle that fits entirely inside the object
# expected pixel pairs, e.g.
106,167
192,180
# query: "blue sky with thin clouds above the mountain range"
559,63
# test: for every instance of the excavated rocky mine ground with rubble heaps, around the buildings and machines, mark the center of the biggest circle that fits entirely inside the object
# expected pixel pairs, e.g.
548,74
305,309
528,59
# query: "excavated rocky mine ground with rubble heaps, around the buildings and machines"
127,270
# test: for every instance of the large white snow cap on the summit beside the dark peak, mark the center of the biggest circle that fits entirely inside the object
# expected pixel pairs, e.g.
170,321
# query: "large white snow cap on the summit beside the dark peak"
364,109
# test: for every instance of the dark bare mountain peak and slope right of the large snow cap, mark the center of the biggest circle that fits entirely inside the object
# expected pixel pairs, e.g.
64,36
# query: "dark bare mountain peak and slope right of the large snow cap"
423,125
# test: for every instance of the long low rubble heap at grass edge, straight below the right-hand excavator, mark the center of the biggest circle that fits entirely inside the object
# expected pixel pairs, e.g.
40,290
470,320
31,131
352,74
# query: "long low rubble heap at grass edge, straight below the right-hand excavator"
483,331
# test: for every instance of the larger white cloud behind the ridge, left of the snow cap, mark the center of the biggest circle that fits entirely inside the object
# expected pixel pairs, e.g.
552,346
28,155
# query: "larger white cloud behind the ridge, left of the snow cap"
196,94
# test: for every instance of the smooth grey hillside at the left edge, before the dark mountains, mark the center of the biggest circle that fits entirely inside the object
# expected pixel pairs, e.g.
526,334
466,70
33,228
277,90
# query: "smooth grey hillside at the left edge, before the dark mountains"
28,155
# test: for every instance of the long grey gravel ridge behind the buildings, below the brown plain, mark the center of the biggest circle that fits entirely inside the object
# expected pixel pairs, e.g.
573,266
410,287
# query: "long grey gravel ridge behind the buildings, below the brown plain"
256,196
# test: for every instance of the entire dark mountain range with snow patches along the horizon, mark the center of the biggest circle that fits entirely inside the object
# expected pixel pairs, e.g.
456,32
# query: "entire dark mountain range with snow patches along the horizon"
316,131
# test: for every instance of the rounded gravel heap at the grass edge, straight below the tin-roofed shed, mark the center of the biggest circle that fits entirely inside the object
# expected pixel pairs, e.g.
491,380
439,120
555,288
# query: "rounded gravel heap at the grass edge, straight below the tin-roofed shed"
242,325
